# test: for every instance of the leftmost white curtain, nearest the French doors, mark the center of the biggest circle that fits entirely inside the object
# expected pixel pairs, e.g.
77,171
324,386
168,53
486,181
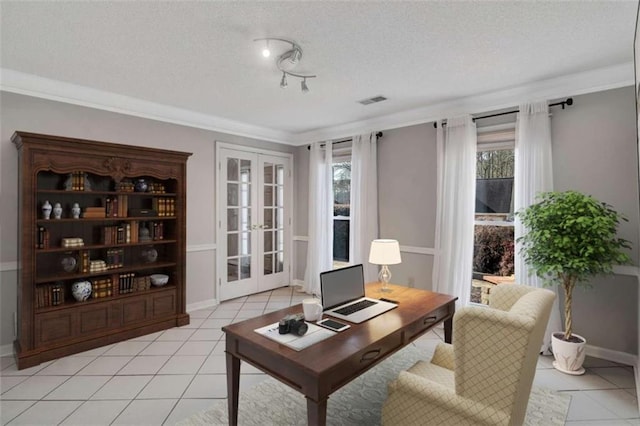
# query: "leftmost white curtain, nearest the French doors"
320,246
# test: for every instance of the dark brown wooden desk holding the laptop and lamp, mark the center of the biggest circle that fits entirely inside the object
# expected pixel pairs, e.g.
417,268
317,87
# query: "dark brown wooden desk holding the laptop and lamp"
324,367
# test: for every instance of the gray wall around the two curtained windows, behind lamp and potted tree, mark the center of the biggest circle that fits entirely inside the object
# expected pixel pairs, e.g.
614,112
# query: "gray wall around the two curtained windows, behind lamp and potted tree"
595,151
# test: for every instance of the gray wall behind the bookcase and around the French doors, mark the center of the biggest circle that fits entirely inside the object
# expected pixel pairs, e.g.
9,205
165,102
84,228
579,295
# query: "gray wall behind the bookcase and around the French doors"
43,116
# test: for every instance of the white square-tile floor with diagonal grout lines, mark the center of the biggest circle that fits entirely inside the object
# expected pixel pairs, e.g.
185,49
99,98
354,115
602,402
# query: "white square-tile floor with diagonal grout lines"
165,377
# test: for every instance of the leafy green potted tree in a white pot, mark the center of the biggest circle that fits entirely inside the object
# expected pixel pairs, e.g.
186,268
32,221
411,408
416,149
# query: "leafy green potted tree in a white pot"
569,238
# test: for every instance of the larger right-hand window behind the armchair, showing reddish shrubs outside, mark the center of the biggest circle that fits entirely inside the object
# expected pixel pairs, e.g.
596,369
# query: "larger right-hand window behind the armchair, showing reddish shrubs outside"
493,251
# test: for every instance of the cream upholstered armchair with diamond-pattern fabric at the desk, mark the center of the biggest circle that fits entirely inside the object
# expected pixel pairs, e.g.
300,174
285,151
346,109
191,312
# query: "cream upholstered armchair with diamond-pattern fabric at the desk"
484,377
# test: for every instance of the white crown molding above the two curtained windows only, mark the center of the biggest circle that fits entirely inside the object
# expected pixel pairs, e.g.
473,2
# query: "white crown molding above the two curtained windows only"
597,80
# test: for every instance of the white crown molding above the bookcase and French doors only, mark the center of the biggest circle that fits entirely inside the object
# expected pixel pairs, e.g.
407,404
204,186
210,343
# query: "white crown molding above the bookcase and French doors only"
45,88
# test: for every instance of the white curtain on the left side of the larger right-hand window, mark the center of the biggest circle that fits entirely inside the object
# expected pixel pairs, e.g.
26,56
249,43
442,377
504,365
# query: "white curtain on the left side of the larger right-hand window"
455,210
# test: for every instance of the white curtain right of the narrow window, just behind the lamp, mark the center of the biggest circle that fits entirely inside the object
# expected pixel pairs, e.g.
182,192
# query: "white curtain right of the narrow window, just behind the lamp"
363,221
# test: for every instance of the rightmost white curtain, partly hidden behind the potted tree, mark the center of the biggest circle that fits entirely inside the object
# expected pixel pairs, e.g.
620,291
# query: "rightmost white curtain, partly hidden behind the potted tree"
533,175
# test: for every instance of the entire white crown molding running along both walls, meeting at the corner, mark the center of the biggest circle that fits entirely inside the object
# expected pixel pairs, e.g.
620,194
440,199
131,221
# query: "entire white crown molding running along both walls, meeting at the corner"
612,77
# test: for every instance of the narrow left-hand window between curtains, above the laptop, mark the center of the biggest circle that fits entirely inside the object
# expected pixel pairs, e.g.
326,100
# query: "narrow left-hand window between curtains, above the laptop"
341,210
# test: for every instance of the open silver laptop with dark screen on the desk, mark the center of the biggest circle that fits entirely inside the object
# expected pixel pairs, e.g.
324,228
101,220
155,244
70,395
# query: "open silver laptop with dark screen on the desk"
343,296
